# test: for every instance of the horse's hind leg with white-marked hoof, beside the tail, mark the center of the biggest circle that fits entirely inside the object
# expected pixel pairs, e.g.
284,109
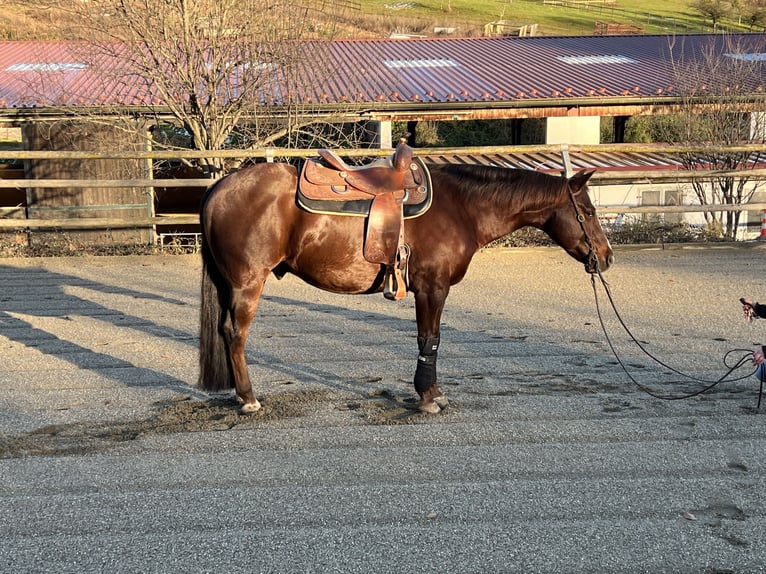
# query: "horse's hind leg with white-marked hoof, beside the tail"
244,304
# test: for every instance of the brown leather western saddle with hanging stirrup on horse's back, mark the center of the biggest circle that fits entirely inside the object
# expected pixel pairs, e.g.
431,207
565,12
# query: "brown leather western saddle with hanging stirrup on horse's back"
386,191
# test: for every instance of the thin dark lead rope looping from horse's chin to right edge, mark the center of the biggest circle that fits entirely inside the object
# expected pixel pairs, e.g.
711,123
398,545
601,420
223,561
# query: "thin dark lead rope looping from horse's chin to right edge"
746,355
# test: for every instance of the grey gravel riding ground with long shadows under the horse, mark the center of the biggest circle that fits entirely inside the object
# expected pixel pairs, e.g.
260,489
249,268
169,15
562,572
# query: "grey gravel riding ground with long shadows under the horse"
549,459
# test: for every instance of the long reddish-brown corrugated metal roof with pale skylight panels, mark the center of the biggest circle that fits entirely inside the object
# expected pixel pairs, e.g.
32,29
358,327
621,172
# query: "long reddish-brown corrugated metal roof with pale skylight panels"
502,71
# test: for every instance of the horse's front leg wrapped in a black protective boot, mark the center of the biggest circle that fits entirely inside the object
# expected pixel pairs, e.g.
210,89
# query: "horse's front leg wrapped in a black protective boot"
428,311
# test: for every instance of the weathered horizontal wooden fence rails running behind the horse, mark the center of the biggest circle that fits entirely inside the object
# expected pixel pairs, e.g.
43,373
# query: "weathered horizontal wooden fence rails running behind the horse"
10,218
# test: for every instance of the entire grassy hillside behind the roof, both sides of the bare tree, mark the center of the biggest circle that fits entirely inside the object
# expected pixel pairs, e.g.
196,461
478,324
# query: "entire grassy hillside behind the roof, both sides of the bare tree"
41,19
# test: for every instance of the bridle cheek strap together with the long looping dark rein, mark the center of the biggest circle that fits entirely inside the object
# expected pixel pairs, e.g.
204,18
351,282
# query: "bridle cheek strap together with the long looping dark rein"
593,263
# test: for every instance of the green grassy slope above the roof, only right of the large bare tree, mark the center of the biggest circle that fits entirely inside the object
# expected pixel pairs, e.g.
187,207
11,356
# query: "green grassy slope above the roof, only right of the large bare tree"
469,16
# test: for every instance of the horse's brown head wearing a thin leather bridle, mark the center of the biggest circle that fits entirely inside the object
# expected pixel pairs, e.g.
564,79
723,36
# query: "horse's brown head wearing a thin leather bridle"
575,227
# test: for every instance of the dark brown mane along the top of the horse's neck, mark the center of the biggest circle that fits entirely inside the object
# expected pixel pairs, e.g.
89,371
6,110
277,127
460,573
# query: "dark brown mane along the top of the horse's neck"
500,185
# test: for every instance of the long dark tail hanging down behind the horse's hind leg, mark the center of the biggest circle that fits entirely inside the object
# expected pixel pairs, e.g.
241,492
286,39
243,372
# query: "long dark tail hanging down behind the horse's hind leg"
215,373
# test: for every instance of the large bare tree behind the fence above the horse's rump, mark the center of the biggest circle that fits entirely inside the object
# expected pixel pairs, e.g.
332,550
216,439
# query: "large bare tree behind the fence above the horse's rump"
224,73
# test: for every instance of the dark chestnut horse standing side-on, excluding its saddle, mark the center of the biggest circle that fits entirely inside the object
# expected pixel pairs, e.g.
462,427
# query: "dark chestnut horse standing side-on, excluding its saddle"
252,227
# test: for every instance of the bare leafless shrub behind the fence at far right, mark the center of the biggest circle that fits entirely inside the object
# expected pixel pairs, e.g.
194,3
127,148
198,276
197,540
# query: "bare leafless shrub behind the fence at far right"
722,105
